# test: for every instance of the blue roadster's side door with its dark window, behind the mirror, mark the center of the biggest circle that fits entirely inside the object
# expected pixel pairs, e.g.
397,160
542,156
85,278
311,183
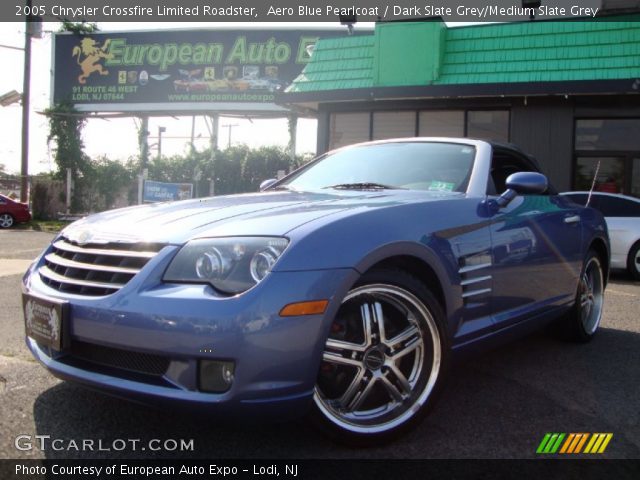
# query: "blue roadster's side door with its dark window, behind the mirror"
536,247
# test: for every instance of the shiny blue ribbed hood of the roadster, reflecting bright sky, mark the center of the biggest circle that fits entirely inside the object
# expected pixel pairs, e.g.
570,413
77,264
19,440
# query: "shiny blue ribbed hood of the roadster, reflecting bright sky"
268,213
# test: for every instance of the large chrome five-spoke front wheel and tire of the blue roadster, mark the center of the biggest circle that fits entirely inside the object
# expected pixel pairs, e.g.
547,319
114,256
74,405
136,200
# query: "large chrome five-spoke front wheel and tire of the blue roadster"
384,361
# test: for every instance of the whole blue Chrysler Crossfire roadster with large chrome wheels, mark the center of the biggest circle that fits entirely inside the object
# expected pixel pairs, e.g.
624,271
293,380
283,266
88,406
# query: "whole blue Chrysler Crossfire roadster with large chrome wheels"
341,292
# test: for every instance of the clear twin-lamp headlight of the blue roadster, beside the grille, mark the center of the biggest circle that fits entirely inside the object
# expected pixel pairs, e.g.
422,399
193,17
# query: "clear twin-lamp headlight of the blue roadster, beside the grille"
230,264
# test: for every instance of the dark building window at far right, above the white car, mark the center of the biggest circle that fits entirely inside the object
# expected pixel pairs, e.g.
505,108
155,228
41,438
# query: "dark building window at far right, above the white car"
612,148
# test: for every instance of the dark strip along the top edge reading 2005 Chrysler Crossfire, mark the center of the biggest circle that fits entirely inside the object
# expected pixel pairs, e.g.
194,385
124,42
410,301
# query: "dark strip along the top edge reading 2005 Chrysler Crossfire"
295,10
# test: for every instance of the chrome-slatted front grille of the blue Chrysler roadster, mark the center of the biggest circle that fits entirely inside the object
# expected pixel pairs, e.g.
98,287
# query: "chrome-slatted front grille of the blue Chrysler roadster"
94,269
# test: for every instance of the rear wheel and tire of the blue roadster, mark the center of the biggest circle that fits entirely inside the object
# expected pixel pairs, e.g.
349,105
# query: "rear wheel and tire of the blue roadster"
582,322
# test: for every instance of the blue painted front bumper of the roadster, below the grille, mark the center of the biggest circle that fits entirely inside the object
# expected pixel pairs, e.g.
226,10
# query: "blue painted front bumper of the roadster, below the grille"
276,359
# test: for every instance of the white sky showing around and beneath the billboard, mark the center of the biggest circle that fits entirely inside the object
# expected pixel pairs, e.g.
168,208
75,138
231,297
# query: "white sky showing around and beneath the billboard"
115,138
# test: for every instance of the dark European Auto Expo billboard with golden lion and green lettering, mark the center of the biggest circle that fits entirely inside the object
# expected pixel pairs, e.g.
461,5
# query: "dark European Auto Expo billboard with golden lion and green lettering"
180,69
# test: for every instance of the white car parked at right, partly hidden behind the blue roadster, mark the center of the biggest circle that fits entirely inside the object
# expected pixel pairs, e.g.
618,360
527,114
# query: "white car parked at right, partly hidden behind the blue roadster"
622,214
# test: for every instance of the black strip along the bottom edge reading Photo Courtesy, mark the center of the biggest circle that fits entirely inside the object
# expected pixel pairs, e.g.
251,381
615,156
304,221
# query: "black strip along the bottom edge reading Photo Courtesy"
583,469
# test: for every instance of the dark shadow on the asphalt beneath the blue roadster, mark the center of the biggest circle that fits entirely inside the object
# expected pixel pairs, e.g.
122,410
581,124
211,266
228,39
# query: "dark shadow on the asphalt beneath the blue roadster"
497,405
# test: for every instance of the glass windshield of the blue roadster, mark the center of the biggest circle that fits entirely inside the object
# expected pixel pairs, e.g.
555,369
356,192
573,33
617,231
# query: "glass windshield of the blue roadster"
403,165
